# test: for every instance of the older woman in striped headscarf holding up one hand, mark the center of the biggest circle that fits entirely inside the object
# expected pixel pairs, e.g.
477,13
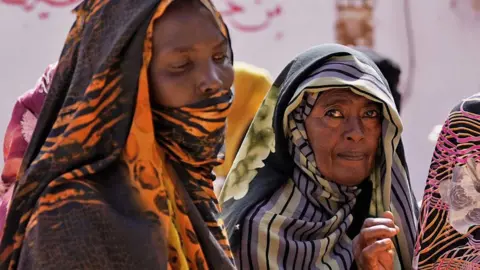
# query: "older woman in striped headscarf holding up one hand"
320,181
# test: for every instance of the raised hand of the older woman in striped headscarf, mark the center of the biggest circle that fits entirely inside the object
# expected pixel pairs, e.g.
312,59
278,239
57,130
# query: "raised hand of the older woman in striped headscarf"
372,247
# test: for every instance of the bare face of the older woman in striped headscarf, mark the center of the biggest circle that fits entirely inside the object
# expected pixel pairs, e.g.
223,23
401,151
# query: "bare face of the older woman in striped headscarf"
344,130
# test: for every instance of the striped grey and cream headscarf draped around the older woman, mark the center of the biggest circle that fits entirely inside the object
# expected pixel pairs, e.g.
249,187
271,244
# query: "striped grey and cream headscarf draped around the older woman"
280,212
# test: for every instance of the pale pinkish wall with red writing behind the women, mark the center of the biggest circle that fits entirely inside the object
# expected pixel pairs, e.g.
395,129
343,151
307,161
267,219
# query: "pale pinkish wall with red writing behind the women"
436,43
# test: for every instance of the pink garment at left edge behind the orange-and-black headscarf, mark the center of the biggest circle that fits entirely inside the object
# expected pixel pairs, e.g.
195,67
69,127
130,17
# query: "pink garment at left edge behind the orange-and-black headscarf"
18,135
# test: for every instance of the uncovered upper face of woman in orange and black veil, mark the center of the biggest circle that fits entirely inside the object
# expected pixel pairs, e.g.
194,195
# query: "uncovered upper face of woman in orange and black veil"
189,63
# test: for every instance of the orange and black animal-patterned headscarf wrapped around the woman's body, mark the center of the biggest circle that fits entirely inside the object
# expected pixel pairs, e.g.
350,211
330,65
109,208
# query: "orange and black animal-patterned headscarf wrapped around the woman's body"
96,189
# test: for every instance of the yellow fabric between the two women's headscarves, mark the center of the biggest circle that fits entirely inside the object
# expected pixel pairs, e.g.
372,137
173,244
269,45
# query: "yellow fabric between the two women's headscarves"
250,87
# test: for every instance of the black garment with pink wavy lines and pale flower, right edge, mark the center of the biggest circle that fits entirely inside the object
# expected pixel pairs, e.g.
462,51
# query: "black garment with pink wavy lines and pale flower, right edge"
449,225
